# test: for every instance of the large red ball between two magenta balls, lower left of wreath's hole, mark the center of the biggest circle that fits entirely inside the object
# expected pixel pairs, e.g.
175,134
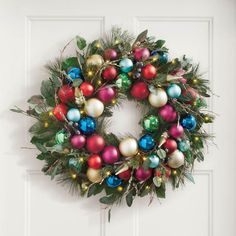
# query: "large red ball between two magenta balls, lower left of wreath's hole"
95,143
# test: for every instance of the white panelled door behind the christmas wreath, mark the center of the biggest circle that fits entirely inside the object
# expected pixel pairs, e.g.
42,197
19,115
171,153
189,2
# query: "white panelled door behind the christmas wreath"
31,33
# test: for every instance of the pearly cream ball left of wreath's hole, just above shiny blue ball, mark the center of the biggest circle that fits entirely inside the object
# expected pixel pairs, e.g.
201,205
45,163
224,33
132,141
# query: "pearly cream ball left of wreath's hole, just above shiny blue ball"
94,107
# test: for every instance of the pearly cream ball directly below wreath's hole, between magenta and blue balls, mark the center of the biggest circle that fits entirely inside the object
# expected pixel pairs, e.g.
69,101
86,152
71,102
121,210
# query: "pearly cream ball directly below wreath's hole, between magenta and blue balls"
128,147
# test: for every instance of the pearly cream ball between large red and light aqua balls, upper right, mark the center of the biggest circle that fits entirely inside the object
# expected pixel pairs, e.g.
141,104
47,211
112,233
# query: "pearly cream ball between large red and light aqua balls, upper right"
158,98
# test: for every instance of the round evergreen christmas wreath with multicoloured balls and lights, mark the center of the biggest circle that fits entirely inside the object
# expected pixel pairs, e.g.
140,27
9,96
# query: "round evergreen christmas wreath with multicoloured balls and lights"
76,101
